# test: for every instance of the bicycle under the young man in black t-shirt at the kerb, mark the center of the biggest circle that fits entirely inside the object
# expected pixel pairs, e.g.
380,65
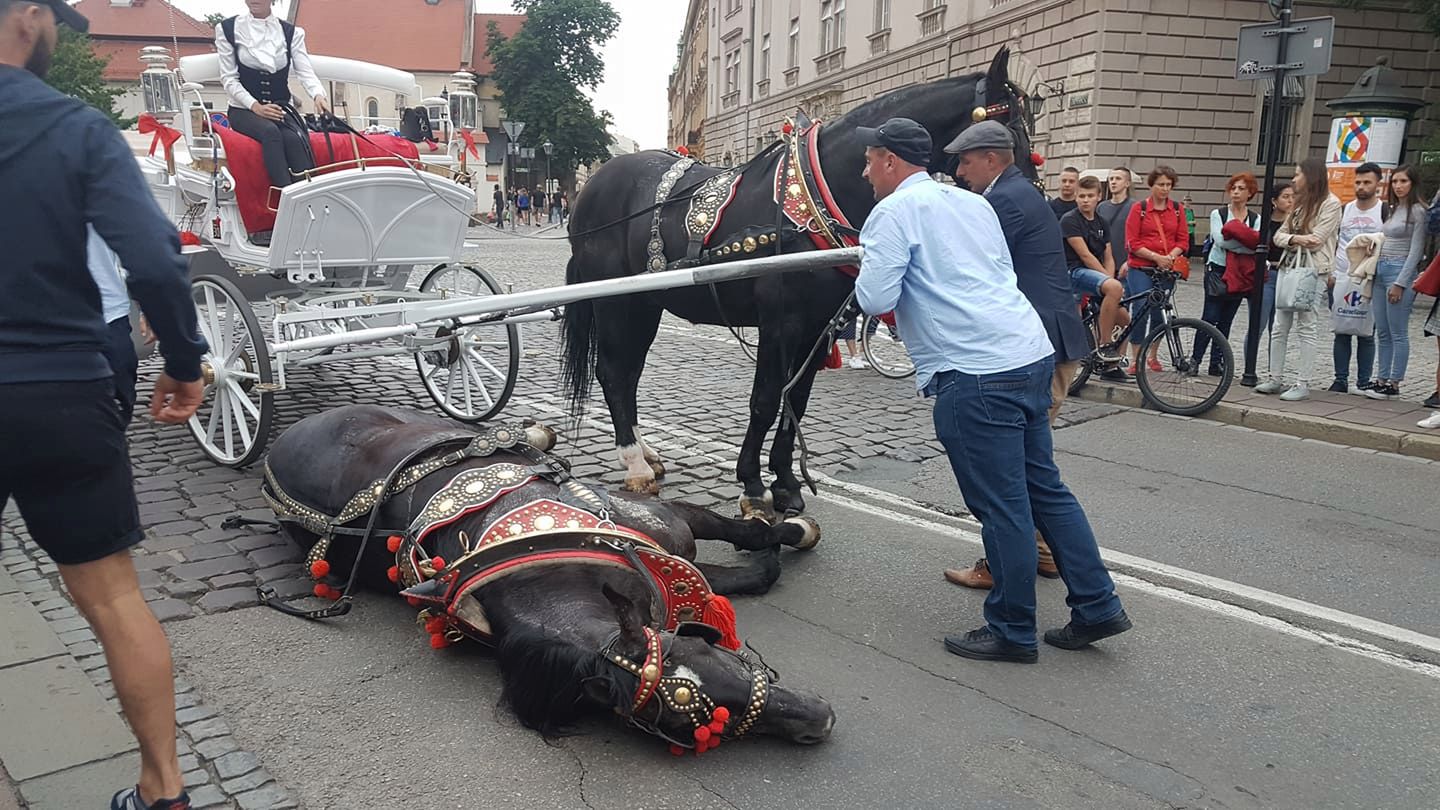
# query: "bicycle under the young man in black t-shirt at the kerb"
1183,342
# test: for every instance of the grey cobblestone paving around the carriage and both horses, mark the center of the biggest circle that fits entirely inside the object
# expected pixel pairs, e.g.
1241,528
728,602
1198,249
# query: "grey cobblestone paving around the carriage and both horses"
693,396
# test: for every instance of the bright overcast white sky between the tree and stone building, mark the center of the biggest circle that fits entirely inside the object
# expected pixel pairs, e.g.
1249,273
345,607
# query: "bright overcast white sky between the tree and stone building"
637,61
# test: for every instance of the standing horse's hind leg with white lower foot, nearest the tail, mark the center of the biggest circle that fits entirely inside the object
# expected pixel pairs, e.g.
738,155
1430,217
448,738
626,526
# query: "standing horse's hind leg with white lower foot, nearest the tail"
629,328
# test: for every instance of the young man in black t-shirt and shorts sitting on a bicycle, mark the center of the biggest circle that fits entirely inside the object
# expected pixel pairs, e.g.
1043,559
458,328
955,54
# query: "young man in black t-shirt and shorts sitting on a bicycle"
1092,266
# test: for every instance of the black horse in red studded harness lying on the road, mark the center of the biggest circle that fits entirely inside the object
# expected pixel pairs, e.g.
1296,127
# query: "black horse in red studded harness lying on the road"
590,599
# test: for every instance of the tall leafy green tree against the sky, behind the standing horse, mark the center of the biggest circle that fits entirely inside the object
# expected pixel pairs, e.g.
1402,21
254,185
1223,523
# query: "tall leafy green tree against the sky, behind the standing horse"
544,70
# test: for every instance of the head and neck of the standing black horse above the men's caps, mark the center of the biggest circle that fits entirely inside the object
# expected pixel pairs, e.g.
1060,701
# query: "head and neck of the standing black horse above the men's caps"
945,109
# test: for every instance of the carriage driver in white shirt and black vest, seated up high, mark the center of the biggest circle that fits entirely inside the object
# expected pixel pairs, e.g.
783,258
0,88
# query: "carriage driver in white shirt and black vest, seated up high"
257,55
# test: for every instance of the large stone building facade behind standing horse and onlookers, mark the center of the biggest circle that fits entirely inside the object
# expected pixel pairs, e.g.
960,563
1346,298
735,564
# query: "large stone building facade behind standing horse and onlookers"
1130,83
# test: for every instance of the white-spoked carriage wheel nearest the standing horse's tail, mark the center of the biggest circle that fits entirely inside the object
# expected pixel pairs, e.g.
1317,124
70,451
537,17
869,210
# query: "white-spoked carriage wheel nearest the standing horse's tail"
473,375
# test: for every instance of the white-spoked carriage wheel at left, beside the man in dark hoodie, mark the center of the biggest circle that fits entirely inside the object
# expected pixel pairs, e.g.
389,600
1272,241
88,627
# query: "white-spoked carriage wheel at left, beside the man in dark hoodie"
234,422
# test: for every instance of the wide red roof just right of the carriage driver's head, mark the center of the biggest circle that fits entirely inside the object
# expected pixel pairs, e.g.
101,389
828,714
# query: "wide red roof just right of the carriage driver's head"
411,35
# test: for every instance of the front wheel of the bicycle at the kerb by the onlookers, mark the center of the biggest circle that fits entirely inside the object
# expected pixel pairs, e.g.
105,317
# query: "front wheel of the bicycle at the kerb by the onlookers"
1184,387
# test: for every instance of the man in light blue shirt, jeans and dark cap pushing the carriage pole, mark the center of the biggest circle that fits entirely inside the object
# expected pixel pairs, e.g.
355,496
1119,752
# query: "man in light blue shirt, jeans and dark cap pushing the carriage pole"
938,259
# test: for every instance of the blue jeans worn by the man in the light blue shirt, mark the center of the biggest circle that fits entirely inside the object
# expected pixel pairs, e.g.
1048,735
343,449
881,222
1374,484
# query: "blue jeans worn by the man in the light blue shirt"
996,430
